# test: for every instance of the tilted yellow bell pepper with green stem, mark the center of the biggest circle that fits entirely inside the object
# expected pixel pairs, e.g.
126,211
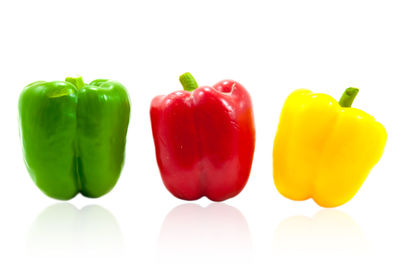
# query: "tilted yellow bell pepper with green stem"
324,149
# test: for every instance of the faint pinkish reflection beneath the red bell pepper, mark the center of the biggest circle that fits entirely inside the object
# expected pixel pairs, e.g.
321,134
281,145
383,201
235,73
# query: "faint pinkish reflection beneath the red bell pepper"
216,234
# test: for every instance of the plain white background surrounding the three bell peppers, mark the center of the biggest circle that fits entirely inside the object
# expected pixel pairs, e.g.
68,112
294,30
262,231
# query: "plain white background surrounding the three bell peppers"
272,48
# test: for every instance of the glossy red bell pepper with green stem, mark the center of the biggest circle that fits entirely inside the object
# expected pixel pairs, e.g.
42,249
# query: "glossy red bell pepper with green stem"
204,139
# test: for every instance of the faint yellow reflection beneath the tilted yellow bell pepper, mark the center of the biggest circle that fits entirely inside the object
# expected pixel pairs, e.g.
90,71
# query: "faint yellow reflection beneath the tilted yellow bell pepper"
329,231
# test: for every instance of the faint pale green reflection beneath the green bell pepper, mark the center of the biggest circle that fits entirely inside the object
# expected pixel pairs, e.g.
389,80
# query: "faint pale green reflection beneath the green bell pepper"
61,230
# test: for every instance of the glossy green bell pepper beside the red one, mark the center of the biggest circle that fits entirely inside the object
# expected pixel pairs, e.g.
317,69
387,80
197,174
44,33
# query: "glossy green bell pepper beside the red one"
73,135
